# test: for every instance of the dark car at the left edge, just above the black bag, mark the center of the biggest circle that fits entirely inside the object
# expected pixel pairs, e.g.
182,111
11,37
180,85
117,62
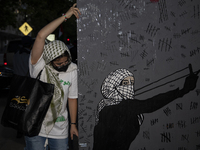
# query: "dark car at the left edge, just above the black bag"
6,75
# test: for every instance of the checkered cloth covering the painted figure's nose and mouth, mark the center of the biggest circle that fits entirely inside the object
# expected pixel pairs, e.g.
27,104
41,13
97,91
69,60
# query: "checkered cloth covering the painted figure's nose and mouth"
126,91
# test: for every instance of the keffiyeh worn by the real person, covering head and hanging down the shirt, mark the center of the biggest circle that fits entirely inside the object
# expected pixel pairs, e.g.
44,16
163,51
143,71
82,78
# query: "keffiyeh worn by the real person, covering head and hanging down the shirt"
51,51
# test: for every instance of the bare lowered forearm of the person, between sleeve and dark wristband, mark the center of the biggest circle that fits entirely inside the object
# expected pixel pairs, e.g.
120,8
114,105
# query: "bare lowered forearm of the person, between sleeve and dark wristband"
72,103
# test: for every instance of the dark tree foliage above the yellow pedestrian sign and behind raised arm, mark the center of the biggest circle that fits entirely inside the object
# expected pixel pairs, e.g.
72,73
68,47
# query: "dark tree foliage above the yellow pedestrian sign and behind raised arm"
37,14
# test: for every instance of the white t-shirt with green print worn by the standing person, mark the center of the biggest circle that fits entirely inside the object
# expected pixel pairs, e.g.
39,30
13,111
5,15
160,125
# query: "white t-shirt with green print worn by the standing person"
69,84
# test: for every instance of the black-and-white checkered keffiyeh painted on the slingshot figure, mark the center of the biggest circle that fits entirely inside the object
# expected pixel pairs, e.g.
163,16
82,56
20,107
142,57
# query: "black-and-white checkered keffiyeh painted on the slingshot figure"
113,92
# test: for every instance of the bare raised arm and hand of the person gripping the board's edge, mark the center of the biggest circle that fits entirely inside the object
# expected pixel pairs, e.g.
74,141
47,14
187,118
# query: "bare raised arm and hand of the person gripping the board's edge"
48,29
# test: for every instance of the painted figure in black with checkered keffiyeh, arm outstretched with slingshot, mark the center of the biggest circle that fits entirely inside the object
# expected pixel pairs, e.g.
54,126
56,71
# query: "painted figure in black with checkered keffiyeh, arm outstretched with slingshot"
119,114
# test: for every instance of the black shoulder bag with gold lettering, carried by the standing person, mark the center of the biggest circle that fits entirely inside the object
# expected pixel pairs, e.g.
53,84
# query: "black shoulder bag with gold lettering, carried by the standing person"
27,104
